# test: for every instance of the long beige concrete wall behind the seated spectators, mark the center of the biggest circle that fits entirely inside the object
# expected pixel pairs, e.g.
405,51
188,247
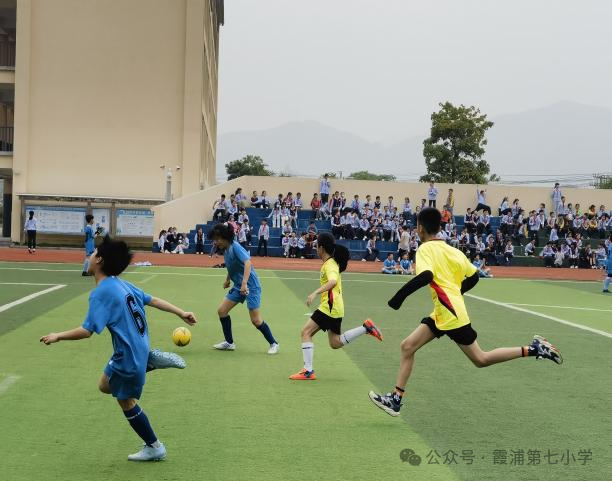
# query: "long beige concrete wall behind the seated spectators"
186,212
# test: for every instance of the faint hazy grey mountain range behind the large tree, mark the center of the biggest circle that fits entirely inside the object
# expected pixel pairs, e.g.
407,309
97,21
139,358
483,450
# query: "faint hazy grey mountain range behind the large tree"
564,137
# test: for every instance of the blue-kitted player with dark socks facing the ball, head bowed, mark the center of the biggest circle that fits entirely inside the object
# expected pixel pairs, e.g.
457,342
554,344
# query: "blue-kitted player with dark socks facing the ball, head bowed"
246,288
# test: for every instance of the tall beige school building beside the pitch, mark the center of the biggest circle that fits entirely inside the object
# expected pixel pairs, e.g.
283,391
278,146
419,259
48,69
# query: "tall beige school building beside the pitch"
105,93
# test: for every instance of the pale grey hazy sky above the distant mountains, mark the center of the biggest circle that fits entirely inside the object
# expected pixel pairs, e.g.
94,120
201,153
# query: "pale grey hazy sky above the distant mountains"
379,68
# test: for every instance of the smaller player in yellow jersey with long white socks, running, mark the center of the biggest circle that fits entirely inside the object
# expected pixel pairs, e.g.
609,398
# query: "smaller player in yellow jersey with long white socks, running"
328,317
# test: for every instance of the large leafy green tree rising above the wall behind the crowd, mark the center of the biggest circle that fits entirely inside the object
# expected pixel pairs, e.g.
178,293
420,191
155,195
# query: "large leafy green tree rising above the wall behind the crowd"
453,152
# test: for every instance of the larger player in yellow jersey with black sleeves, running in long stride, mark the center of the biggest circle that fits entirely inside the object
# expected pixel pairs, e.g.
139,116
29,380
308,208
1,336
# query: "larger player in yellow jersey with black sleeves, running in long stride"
449,274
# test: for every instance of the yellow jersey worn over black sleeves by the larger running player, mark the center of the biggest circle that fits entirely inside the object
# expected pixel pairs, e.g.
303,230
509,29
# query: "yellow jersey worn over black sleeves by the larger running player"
449,267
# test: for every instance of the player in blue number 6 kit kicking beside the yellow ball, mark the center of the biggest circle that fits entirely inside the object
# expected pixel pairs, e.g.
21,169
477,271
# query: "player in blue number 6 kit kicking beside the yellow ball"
120,307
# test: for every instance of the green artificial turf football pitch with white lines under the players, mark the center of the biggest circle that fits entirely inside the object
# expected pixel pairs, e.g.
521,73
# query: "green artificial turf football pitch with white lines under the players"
236,416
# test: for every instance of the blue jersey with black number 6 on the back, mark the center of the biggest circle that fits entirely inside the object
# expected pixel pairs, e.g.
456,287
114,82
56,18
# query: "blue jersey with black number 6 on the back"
119,306
